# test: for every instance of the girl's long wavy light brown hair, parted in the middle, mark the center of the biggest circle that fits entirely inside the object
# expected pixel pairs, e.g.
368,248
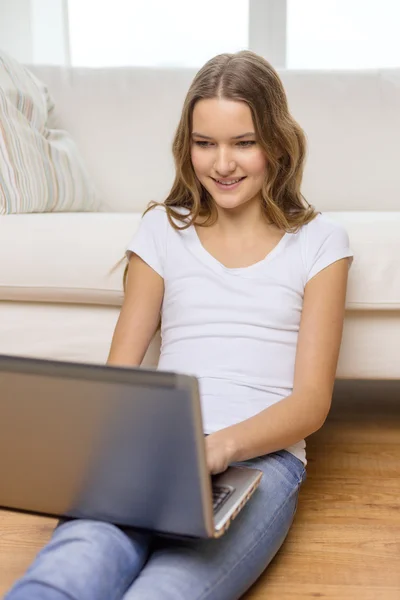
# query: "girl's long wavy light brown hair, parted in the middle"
245,77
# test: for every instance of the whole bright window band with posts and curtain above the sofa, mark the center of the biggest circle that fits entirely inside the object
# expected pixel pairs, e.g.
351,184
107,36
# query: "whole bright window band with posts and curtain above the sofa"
294,34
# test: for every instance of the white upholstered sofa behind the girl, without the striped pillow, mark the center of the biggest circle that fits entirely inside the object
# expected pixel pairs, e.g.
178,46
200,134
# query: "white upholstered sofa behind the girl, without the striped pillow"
58,295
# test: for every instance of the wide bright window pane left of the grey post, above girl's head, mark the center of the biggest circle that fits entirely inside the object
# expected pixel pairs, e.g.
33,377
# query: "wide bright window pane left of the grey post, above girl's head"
155,33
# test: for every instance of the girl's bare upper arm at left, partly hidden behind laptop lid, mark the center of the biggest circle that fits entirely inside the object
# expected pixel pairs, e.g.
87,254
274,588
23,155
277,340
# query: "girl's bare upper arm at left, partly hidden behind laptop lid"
140,314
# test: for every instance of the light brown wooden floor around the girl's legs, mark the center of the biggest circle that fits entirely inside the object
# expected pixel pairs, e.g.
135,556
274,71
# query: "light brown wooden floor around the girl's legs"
345,541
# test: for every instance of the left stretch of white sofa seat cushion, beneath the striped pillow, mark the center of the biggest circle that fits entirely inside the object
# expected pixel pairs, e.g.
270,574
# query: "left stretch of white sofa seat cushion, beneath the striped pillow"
68,258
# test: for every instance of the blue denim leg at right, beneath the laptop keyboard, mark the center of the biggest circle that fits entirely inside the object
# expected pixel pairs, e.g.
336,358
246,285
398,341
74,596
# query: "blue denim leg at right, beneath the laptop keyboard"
224,569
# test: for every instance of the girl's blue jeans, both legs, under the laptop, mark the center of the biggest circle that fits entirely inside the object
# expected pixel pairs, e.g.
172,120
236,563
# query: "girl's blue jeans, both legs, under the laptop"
91,560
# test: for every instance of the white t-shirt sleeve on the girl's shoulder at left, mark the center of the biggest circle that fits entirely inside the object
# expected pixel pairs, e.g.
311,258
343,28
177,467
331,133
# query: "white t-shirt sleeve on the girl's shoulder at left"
150,240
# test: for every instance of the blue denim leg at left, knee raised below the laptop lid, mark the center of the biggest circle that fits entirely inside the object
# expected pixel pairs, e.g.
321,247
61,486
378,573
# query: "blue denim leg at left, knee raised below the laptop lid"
84,560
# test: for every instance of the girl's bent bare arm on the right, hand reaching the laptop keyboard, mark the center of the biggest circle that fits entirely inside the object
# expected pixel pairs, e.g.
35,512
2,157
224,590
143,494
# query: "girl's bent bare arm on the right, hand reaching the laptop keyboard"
305,410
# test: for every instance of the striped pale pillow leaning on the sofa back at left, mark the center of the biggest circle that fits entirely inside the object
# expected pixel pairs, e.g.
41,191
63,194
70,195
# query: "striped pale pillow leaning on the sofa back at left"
40,167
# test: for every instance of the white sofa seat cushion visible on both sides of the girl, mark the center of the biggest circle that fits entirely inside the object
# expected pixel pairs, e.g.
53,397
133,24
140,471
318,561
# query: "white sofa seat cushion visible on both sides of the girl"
70,257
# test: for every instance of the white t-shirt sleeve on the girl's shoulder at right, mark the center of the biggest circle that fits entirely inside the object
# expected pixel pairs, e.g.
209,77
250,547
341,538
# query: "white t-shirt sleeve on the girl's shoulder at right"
327,242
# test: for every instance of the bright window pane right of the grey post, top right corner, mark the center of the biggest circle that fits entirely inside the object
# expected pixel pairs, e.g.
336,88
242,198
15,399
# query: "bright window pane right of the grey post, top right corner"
343,34
